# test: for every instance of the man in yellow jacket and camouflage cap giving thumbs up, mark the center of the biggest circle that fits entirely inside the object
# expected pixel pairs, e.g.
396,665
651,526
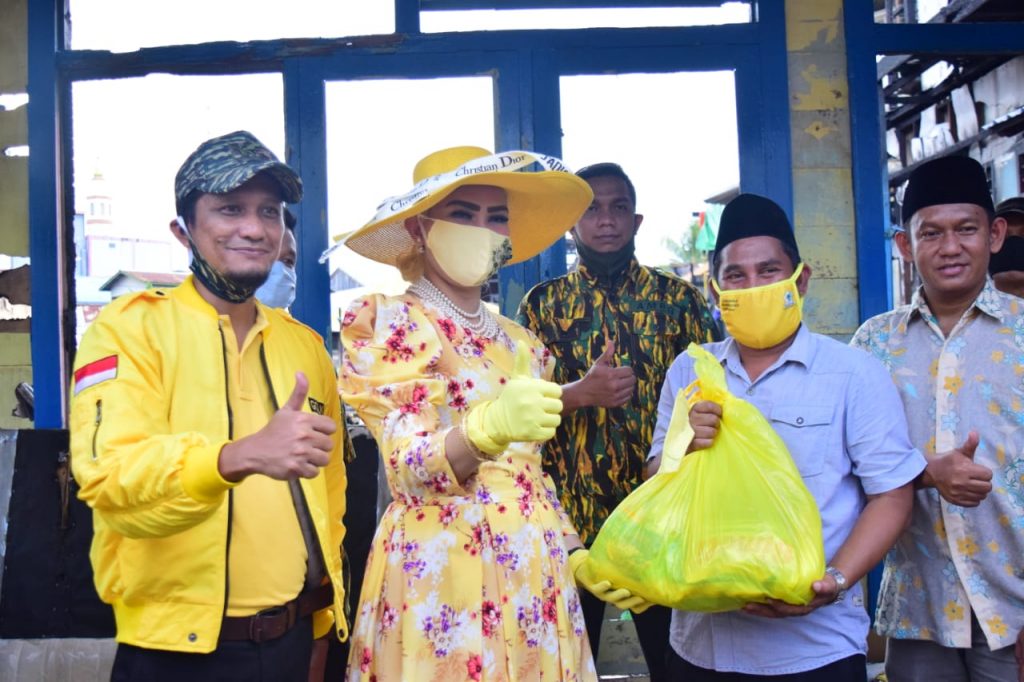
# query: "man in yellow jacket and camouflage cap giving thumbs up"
206,437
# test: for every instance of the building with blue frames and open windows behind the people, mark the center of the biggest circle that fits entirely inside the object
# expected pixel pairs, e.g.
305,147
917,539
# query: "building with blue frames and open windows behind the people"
830,103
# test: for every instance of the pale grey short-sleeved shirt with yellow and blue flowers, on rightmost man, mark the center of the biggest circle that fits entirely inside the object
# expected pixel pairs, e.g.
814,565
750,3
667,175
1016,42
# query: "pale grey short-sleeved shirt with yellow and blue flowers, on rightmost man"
954,561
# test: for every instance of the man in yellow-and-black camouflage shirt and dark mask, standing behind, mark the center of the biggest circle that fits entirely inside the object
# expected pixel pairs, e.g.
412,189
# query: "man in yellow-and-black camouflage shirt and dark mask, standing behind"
614,327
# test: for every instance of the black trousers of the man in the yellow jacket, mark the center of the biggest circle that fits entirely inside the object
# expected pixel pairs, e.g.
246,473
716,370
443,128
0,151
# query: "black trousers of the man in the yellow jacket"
282,660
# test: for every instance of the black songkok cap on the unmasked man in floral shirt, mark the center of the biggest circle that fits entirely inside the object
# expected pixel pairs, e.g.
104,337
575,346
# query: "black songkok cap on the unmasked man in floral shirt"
947,181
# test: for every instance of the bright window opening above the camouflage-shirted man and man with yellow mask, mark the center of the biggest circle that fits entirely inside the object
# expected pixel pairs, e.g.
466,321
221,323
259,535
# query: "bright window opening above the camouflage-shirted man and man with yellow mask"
675,137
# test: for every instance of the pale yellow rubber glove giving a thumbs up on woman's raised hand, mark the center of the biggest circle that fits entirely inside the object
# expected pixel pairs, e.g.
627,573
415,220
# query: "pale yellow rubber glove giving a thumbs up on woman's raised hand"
528,410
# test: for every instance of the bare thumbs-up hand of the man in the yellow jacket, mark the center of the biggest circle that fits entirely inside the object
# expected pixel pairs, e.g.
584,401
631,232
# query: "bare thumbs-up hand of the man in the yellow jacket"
292,445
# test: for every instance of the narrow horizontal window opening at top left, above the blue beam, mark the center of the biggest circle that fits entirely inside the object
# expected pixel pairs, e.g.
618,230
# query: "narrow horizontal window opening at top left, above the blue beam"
147,24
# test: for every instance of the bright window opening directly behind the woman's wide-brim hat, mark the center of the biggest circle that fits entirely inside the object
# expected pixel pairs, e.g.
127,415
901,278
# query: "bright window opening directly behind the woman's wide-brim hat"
377,132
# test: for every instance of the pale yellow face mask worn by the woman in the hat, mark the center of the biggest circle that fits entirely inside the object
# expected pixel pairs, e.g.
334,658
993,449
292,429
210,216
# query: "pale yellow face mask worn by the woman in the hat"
470,255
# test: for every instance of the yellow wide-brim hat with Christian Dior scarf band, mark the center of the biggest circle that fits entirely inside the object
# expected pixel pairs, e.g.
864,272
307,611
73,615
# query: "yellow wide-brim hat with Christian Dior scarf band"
543,205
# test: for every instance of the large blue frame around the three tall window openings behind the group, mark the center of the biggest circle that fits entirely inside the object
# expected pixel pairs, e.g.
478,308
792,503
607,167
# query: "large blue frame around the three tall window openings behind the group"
526,65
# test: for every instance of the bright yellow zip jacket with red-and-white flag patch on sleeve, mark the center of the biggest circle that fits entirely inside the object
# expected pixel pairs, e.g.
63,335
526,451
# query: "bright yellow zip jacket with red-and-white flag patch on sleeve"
149,417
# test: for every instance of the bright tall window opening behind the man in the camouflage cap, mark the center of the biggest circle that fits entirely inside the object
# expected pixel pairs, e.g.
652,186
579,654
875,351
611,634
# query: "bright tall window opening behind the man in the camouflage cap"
131,137
